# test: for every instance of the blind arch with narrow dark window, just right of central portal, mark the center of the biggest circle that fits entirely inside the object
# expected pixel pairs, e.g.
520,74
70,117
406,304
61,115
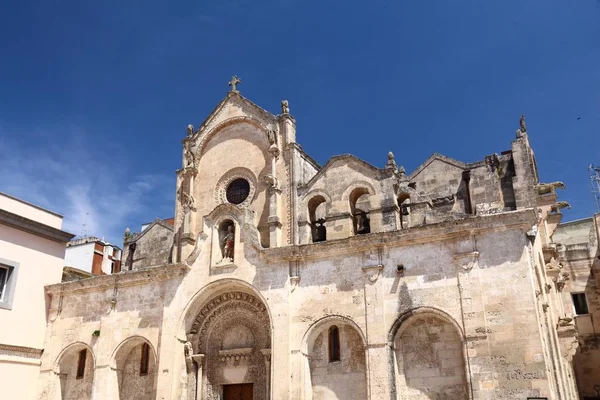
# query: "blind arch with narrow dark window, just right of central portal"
328,376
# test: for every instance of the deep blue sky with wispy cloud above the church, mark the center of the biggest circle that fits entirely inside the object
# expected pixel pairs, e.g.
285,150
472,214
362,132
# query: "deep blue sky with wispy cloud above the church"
95,96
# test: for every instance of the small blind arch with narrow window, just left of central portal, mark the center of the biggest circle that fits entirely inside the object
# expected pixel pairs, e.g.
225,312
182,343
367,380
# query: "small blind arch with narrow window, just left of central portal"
135,363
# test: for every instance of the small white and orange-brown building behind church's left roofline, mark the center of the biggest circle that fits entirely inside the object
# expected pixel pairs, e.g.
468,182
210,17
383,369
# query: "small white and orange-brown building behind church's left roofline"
92,256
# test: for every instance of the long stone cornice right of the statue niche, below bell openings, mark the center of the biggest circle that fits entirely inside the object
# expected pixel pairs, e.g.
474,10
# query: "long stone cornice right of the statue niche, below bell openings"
521,219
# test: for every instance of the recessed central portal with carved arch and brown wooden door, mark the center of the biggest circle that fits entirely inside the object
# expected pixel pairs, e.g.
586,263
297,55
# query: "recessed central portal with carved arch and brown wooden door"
230,345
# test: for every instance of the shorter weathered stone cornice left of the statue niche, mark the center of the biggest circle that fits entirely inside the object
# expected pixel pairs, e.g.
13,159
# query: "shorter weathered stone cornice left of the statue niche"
121,279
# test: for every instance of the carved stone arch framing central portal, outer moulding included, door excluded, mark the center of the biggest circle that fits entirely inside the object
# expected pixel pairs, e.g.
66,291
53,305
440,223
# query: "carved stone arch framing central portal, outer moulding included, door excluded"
234,311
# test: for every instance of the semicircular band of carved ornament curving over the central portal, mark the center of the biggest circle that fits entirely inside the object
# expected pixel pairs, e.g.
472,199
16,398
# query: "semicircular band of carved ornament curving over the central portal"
223,304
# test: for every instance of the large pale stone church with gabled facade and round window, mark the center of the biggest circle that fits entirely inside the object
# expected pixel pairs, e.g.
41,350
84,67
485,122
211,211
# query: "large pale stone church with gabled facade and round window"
280,278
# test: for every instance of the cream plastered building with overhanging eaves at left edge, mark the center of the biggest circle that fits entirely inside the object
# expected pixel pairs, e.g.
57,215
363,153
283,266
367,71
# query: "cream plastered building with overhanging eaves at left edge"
32,250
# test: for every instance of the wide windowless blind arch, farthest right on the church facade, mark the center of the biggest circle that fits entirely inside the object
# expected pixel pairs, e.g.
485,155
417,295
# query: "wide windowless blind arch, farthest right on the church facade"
429,358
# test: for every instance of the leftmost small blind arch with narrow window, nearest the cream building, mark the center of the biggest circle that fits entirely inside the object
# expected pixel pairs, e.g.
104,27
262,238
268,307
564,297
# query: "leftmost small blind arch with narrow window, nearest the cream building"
76,372
